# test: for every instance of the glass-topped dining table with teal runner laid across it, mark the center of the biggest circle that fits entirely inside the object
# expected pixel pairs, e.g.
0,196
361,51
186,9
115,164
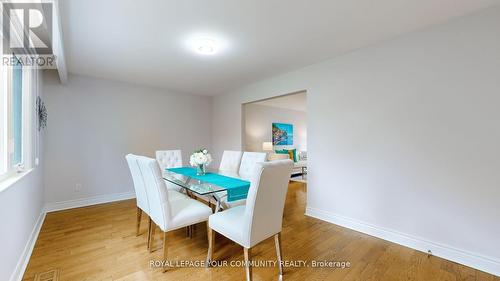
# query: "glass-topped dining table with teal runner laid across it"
220,186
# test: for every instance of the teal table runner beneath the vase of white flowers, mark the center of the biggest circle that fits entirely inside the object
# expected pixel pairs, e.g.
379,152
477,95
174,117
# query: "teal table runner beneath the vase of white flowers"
237,189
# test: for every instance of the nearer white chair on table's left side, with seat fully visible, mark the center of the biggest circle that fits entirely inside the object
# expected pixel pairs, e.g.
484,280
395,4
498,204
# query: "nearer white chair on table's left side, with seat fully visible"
168,214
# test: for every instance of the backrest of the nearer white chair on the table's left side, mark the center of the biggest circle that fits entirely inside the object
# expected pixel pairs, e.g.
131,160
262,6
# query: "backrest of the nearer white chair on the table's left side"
156,191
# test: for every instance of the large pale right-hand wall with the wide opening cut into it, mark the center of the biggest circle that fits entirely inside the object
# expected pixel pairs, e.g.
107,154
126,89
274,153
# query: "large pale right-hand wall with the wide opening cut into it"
403,138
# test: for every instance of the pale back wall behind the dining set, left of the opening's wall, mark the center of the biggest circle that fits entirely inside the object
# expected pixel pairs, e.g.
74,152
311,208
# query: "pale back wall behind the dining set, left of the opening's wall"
94,123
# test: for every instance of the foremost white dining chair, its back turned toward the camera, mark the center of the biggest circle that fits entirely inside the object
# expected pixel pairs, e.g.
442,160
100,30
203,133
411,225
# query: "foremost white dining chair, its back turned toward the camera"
262,215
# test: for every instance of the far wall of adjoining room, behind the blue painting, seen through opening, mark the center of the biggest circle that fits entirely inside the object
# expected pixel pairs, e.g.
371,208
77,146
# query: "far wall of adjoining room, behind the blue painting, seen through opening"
258,126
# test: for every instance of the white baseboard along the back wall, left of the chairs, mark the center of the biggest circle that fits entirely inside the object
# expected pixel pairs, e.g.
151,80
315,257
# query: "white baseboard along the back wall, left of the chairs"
83,202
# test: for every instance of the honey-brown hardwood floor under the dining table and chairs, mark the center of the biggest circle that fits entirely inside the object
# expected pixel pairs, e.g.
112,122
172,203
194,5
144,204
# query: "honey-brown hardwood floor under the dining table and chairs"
100,243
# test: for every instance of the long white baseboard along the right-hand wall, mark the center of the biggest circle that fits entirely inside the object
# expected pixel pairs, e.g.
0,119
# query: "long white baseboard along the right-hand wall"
474,260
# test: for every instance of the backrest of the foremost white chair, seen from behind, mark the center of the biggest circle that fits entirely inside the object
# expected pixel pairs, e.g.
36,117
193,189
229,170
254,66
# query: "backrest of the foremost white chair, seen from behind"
266,200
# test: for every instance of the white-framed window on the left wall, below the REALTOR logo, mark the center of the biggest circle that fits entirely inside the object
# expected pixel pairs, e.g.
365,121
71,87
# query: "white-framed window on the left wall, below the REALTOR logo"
16,118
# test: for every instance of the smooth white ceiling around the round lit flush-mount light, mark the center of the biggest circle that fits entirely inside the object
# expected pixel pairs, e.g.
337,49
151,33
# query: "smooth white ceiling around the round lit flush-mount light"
144,42
